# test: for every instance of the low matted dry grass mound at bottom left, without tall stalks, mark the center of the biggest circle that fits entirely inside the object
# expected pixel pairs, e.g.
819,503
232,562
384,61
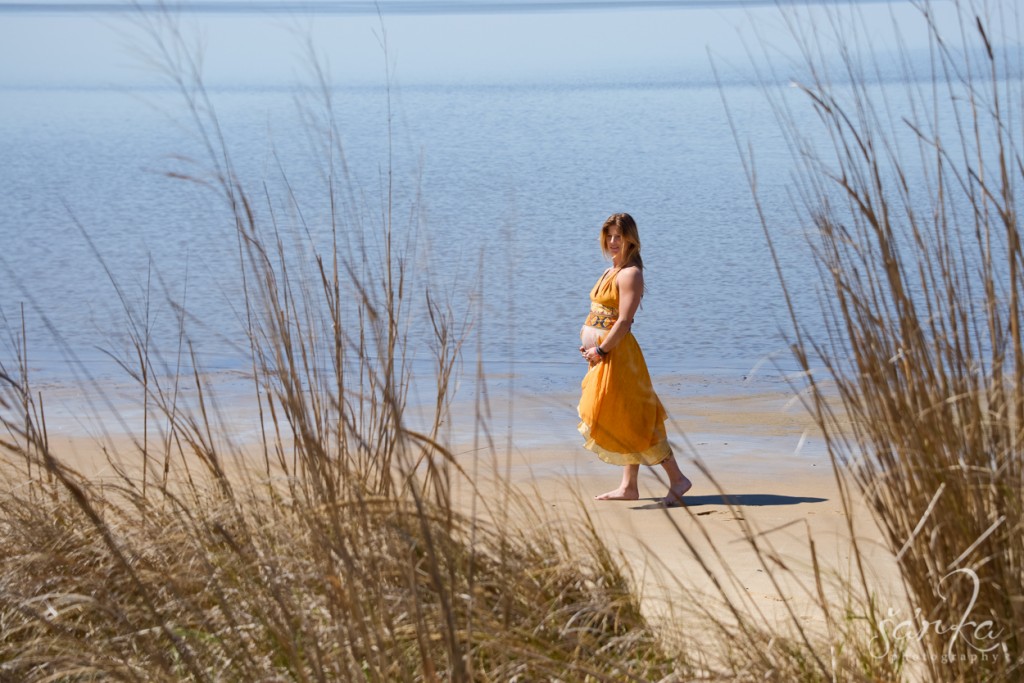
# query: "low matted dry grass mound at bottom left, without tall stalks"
112,586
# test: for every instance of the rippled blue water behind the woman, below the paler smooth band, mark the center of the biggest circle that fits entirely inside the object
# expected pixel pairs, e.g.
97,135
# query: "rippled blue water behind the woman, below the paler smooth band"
499,192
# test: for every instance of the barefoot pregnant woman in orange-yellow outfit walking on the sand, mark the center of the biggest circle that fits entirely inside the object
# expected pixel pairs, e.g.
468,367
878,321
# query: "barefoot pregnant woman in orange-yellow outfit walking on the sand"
621,417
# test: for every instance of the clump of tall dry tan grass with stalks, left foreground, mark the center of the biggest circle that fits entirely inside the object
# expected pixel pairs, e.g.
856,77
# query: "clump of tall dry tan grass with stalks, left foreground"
330,550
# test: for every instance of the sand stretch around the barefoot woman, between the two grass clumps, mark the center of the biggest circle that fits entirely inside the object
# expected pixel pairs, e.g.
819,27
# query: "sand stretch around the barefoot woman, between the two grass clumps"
765,505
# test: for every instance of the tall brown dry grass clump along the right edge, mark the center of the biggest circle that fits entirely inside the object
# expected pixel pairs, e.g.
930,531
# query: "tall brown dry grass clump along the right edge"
911,196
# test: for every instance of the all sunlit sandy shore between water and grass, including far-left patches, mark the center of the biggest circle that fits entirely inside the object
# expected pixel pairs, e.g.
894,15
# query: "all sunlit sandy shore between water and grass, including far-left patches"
765,505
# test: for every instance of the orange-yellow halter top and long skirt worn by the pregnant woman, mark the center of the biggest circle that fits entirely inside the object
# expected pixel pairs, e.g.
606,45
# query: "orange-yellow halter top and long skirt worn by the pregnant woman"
621,417
